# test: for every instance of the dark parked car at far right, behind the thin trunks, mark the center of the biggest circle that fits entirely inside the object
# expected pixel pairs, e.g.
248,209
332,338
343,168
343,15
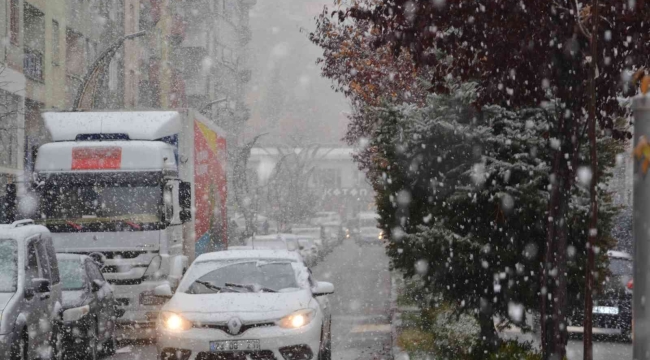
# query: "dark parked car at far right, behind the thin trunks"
612,308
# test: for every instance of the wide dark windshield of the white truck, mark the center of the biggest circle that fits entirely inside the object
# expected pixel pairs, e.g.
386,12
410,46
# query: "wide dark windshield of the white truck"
104,202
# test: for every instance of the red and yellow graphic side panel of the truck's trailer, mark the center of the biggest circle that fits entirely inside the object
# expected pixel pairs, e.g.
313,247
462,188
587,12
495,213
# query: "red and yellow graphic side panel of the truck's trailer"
210,189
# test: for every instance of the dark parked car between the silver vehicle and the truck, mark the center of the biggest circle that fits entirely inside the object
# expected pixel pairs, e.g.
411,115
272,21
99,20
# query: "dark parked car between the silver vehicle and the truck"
89,308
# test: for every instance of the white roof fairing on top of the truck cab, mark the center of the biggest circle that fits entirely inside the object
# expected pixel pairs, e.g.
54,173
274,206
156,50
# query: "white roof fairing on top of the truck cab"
138,125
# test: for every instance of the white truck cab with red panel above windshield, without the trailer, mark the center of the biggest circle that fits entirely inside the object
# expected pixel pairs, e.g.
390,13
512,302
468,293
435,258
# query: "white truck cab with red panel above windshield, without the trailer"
109,185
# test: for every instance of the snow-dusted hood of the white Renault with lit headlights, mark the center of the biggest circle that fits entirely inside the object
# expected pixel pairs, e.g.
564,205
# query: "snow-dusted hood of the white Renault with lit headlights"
247,306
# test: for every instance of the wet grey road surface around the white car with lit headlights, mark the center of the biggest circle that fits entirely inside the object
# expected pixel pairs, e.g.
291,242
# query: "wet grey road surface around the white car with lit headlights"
360,305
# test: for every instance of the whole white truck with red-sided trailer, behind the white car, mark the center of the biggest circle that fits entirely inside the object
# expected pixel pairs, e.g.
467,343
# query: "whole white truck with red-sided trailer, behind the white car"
144,190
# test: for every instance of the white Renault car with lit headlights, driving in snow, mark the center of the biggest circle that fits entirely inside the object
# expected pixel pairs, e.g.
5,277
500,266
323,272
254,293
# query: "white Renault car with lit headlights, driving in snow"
246,304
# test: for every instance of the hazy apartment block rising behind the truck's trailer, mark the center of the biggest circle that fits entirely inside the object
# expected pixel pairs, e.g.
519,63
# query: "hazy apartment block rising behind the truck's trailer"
194,55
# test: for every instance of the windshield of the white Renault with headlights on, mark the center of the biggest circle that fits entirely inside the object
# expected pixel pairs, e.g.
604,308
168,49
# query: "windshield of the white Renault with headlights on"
249,276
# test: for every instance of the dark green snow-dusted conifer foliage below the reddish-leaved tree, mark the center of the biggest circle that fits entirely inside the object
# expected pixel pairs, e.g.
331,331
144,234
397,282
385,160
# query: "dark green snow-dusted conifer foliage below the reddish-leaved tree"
479,182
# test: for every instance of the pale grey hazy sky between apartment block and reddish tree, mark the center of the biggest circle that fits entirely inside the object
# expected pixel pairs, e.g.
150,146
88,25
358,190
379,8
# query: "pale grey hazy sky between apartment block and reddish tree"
287,95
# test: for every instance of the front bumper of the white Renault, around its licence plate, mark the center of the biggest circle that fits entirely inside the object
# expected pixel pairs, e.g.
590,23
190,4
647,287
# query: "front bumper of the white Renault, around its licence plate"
194,344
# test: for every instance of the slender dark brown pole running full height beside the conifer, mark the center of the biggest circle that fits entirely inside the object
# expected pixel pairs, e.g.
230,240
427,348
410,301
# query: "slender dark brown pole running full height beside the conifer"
593,200
